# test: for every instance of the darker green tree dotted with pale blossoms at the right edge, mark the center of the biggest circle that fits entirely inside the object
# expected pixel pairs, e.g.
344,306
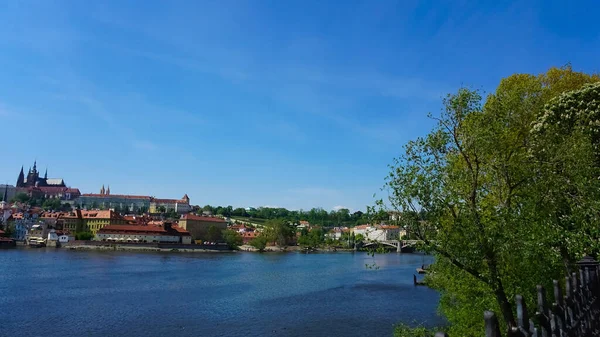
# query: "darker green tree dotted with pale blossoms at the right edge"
566,149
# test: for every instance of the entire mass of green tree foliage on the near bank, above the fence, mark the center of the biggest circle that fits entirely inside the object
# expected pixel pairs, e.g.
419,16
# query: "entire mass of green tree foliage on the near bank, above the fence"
503,206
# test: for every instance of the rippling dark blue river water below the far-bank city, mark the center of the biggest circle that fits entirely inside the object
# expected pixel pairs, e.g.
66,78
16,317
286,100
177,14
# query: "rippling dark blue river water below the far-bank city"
55,292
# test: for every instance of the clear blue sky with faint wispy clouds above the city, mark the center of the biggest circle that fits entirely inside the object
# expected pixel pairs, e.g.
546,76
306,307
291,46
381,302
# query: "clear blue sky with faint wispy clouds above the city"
296,104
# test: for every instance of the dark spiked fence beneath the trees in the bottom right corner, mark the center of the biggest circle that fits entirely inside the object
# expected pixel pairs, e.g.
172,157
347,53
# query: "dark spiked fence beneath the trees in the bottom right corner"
574,314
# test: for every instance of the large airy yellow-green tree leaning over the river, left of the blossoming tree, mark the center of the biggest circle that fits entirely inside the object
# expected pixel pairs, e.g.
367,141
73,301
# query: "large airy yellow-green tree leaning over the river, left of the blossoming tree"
470,190
